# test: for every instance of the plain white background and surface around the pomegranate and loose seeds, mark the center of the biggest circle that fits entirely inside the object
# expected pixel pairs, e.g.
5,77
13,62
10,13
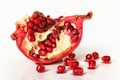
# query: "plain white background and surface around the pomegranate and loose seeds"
100,34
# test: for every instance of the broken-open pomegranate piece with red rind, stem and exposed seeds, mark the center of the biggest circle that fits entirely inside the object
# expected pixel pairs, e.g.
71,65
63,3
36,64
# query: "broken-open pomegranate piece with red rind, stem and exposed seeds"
46,40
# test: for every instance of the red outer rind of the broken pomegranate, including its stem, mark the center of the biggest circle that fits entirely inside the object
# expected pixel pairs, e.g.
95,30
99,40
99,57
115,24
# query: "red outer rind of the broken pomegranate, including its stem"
20,37
